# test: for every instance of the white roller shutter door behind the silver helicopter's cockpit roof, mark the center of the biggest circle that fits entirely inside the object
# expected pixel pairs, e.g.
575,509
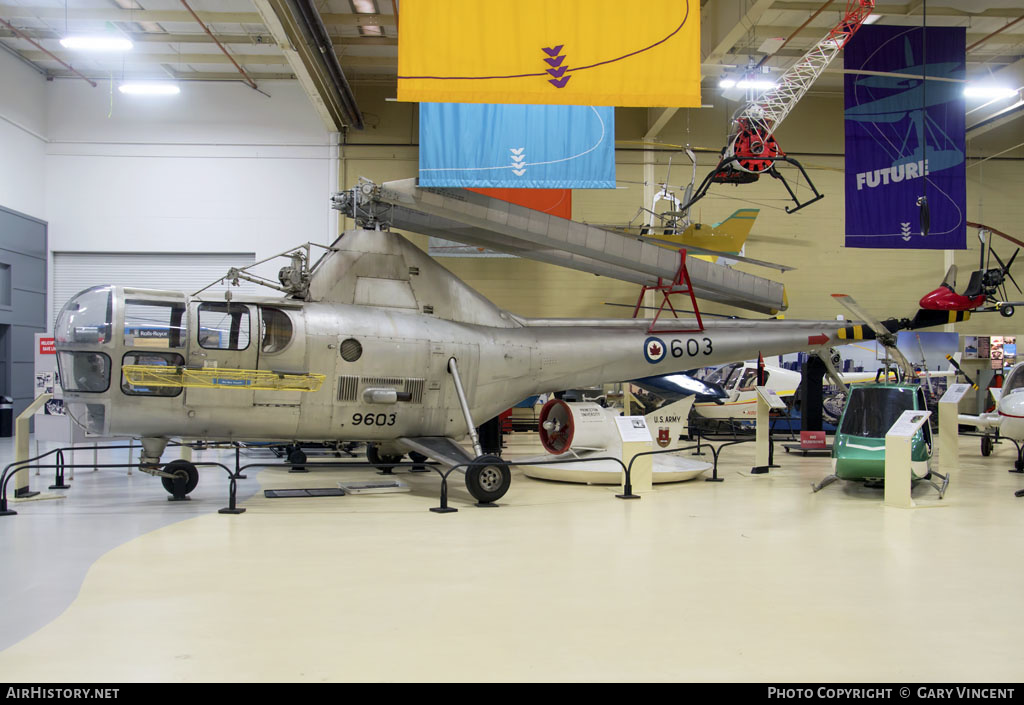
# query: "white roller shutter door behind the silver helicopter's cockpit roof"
74,272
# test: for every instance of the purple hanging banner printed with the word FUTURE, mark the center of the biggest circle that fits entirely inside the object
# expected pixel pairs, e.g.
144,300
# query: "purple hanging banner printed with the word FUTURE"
905,140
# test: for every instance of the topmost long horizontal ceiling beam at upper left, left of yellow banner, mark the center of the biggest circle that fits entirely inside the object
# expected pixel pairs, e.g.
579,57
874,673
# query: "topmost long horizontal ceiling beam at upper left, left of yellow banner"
117,15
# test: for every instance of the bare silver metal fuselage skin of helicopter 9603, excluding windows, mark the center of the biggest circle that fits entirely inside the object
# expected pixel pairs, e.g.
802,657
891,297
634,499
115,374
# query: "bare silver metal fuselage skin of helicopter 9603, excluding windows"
400,350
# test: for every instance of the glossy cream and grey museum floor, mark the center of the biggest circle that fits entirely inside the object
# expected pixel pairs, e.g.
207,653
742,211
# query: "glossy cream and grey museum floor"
752,579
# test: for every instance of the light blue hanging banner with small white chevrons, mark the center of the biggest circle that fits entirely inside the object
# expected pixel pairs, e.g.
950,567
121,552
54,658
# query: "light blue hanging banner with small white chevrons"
518,147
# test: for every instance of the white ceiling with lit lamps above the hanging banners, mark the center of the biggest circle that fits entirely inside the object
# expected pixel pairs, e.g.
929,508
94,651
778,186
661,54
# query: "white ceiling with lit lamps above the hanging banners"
169,44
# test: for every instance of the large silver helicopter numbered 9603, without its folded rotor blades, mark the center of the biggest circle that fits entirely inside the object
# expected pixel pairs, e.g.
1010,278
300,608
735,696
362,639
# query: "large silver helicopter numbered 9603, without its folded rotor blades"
374,343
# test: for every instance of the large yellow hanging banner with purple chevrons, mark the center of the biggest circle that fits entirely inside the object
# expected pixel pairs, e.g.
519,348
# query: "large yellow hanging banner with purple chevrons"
573,53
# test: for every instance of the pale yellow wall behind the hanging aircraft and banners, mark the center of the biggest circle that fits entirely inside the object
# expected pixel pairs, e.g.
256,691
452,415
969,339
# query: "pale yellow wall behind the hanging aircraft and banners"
886,282
